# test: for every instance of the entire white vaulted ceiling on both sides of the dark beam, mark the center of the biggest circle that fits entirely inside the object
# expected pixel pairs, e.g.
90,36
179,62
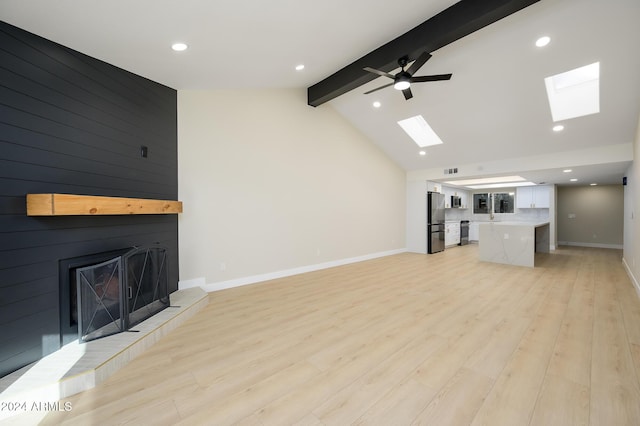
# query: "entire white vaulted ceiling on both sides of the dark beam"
492,115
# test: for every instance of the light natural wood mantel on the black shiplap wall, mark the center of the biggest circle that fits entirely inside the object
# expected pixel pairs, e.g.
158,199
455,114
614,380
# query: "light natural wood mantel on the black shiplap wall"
89,205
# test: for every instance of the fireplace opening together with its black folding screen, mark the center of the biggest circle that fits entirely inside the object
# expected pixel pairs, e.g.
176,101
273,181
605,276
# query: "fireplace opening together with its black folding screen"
106,293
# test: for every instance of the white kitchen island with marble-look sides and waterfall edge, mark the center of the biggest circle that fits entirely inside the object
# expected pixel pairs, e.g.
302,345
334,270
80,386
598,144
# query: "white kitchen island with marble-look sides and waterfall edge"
513,243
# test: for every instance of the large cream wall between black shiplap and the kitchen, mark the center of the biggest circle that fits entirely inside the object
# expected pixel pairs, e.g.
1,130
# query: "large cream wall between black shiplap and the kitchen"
270,185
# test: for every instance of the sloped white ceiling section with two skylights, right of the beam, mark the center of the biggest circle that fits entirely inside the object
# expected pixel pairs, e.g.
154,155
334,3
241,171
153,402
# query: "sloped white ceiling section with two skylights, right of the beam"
495,107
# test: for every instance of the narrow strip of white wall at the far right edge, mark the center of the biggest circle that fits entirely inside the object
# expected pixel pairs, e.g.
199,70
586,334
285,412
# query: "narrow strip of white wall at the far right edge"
631,241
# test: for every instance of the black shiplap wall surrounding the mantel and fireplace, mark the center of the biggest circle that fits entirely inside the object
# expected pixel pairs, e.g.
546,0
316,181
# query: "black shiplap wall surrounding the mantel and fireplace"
72,124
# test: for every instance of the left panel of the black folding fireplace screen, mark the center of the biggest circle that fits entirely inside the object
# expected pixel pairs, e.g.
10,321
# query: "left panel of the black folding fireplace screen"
100,308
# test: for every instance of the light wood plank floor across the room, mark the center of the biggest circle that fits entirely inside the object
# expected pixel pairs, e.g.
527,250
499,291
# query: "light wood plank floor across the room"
407,339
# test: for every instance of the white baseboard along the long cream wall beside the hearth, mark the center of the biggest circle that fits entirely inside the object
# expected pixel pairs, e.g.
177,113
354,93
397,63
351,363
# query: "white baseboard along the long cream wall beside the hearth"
222,285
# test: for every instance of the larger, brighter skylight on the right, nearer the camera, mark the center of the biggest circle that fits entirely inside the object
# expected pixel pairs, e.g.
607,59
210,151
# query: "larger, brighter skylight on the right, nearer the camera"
574,93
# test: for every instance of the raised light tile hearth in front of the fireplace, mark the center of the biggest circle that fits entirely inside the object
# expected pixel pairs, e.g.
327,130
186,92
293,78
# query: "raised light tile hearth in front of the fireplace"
77,367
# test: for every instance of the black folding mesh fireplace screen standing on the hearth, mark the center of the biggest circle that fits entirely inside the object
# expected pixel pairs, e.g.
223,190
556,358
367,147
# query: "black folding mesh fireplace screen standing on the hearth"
119,293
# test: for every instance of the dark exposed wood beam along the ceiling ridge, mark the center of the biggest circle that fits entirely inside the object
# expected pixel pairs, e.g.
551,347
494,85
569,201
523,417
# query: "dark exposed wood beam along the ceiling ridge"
459,20
